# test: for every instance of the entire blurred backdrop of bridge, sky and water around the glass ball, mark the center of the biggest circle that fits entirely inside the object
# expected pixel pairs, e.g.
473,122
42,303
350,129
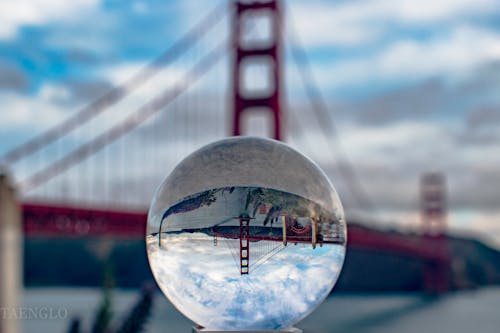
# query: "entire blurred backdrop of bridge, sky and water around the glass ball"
396,100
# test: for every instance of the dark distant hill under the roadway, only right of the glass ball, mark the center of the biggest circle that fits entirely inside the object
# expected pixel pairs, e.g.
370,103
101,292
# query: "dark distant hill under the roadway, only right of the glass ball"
473,264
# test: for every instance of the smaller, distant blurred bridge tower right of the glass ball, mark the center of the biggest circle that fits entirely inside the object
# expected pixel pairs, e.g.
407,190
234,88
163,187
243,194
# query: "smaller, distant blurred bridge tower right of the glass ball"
436,273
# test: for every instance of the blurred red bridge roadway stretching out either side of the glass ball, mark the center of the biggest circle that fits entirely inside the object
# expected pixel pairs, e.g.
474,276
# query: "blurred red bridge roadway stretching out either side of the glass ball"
43,220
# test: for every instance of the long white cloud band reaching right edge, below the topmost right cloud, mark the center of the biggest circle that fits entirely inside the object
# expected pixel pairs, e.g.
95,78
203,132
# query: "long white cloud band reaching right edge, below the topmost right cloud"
452,56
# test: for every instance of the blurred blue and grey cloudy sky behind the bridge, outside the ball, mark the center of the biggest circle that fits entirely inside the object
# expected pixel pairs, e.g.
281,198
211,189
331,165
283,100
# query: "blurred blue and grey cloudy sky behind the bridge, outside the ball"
412,87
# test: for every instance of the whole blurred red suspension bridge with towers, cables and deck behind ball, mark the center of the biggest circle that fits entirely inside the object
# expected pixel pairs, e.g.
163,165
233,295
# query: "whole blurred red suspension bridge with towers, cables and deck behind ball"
66,184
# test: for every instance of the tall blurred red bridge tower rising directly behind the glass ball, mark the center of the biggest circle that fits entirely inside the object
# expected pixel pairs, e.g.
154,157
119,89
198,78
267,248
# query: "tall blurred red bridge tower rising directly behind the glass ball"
265,53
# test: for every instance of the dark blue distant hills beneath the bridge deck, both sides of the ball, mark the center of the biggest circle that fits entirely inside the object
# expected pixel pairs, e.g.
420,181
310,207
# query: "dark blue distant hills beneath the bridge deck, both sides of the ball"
78,262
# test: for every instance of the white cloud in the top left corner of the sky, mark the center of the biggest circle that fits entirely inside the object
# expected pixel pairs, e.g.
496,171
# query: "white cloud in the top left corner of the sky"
14,15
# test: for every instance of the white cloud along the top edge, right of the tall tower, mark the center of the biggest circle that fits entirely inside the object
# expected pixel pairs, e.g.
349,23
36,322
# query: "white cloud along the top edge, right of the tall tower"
354,23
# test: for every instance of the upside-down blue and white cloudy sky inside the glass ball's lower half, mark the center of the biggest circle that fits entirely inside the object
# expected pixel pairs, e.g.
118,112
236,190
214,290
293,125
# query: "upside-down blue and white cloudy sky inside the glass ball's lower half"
203,281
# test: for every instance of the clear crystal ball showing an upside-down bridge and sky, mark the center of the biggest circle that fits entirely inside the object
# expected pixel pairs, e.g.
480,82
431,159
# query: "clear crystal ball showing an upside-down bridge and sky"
246,234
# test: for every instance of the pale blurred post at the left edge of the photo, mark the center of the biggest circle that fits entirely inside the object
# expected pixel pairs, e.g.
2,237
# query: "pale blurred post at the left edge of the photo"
10,256
